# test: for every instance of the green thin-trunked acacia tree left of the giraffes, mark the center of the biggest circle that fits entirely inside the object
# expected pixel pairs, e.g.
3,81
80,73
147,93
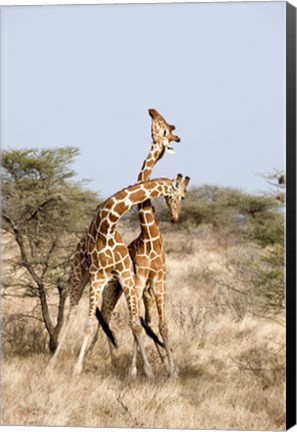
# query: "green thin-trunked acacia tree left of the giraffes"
45,211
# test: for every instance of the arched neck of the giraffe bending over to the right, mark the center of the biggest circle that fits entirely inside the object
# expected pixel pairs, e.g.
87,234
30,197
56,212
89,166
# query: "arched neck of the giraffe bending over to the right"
109,213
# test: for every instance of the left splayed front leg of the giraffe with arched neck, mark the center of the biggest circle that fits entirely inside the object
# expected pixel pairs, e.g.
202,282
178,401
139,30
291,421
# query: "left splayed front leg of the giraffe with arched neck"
97,284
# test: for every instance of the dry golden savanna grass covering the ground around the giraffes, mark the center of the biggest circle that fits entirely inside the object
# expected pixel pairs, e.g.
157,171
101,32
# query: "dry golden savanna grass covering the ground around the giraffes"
230,356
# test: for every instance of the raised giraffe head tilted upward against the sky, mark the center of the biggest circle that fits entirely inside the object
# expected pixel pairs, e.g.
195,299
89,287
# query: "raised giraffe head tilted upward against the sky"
162,132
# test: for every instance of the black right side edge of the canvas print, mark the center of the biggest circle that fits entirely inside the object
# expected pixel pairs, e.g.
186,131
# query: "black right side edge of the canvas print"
290,215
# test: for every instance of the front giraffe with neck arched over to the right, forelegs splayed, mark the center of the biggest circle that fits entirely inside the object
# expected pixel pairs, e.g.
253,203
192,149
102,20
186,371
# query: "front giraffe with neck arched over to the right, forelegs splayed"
107,257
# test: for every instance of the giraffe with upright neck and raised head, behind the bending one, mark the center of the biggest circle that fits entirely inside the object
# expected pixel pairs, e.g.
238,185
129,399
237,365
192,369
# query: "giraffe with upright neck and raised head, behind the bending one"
147,251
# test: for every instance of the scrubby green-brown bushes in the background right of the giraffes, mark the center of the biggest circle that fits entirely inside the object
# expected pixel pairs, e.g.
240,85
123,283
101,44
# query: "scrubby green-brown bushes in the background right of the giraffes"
233,214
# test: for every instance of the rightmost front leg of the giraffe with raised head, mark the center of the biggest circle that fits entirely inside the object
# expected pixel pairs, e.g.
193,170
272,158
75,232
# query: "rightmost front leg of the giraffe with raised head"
159,291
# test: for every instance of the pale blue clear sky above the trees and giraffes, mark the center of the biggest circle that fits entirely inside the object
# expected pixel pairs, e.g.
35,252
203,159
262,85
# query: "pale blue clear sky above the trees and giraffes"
85,76
